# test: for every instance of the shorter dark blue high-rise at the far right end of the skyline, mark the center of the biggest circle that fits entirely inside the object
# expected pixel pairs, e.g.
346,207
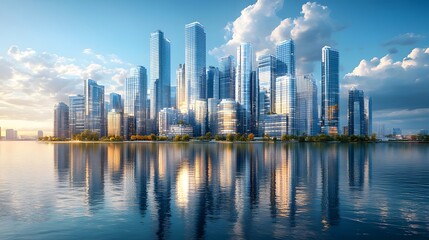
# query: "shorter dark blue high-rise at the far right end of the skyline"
359,113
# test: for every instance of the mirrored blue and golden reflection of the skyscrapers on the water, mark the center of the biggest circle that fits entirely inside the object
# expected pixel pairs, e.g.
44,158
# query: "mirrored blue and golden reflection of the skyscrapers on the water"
265,188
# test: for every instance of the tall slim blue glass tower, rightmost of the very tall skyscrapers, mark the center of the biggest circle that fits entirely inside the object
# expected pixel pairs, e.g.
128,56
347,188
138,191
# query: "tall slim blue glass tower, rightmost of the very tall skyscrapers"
330,91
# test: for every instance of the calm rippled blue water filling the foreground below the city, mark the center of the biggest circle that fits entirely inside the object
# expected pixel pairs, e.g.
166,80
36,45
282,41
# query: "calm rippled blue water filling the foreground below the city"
213,191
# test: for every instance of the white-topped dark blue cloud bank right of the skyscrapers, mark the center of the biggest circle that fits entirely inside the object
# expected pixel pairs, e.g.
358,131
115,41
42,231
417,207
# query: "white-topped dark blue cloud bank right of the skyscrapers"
399,88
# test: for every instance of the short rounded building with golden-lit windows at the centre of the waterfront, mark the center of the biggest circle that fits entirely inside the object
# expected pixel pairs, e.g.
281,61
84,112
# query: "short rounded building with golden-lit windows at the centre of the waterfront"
227,117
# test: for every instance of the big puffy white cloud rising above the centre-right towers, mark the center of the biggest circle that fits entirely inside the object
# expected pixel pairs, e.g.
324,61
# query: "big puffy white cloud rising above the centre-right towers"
260,25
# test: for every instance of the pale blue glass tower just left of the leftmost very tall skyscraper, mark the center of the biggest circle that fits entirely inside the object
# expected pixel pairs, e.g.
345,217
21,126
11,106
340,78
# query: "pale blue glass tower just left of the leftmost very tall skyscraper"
135,102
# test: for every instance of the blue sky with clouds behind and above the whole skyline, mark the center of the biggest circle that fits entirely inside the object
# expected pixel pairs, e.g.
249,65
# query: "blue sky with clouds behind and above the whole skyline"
48,47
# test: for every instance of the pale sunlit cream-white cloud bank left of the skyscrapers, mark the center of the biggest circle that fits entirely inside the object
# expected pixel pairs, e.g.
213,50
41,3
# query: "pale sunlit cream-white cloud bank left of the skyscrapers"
32,82
